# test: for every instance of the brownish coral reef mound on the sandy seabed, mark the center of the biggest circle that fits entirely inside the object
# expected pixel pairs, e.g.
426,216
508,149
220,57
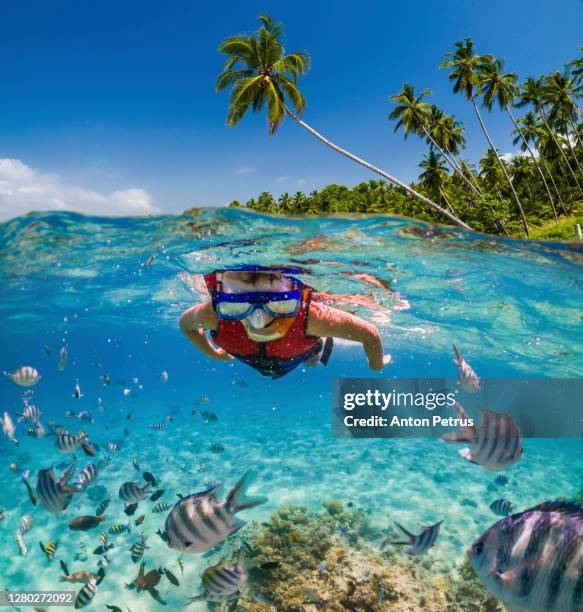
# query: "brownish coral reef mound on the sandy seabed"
309,561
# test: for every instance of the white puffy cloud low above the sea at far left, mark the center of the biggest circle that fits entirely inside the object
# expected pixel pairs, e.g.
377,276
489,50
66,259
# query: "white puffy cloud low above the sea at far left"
23,189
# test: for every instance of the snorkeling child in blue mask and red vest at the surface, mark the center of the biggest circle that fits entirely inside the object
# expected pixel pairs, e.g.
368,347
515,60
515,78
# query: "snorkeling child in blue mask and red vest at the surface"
269,320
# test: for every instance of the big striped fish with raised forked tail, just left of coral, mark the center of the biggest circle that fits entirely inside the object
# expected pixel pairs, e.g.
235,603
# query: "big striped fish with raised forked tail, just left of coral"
200,521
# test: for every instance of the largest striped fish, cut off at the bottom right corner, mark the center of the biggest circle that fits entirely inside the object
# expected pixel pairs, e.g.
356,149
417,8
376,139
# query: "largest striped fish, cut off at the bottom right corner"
534,560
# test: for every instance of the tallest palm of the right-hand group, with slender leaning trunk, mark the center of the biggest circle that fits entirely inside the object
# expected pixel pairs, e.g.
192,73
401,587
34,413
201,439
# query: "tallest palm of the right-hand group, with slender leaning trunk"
466,67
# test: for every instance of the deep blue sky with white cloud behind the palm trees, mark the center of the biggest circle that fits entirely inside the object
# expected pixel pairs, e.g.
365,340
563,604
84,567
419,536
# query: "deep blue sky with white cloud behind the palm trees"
113,103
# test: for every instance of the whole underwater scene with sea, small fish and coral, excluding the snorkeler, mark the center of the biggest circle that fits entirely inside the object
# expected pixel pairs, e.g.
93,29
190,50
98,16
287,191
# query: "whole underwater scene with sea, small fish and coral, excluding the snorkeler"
138,473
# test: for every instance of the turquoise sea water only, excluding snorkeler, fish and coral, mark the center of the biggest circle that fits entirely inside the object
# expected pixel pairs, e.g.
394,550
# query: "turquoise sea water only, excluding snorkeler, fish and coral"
113,289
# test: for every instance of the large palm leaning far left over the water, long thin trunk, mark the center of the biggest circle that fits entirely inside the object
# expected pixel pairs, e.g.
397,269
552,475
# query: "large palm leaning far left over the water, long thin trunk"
260,75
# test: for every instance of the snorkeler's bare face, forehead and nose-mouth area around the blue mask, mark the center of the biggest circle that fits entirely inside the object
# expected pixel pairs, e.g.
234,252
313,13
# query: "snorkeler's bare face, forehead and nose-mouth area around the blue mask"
258,324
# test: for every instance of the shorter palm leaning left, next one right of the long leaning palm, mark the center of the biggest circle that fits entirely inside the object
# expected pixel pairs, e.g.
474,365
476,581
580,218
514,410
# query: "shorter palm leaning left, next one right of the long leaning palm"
414,116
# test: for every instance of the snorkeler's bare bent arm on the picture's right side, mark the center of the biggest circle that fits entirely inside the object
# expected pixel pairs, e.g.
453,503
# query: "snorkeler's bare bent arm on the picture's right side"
326,321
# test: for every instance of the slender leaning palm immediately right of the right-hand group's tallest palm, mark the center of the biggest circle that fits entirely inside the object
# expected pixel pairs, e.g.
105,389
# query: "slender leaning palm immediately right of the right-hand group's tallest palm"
502,88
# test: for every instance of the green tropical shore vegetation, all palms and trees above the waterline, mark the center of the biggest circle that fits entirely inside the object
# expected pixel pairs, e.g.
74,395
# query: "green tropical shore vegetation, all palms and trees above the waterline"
534,193
